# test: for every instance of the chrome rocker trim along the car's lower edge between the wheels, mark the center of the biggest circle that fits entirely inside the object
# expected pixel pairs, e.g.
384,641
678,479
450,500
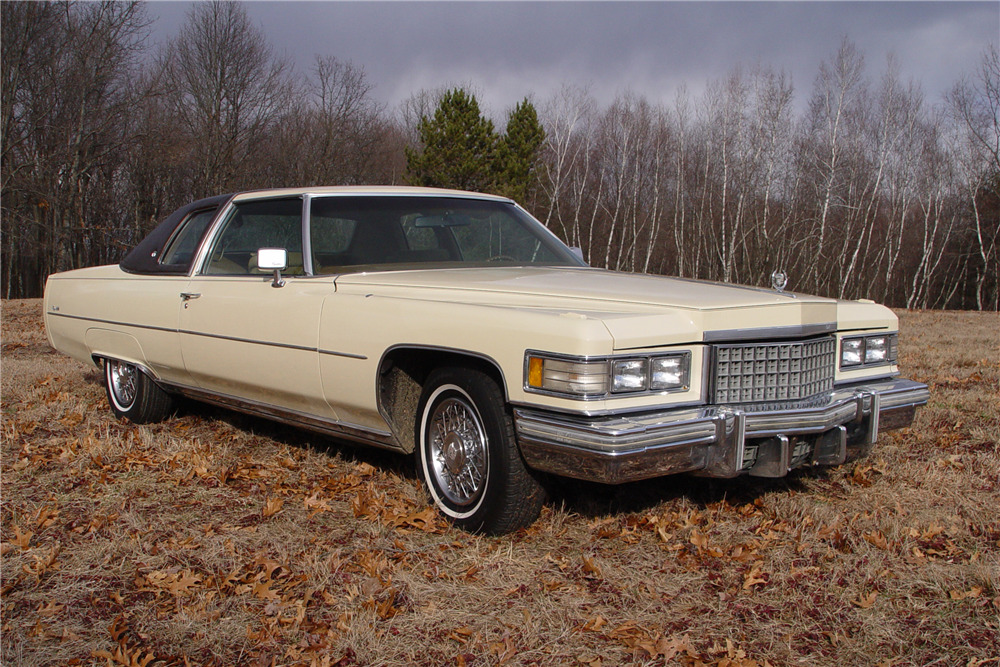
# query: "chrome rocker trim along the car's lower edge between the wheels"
357,433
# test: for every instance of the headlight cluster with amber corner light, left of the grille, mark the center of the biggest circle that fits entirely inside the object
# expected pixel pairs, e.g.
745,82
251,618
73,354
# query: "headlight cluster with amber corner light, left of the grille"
596,378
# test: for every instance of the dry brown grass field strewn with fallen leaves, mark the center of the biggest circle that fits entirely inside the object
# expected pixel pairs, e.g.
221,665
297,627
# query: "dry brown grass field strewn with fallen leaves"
219,539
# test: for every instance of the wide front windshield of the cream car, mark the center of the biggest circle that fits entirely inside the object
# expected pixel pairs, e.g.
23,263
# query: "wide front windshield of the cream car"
378,233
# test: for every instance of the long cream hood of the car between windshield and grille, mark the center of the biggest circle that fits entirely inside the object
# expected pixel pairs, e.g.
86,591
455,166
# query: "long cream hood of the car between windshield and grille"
638,310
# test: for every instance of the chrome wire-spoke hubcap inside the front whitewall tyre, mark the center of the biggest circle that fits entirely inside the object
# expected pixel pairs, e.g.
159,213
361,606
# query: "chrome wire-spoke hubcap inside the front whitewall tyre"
457,451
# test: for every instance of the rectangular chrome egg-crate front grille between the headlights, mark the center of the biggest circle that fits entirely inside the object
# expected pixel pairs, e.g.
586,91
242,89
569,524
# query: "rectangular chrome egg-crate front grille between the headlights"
776,371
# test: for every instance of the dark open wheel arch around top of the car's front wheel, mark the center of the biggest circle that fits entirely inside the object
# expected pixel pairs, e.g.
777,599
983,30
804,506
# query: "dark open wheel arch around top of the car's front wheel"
402,372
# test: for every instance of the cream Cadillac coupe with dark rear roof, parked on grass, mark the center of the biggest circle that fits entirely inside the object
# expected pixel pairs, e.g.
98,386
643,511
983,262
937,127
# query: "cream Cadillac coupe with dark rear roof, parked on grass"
455,327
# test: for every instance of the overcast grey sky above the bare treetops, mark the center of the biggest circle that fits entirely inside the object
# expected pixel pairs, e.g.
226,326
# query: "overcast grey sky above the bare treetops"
508,50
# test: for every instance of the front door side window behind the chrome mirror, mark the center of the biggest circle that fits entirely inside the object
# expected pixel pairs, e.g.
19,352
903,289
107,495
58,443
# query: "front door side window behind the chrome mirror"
269,223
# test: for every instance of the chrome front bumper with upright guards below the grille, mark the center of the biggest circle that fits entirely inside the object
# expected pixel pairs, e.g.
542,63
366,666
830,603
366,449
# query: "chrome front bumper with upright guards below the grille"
766,440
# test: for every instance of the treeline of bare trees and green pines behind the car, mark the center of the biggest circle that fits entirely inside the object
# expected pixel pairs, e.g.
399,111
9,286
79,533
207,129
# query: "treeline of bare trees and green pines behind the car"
872,191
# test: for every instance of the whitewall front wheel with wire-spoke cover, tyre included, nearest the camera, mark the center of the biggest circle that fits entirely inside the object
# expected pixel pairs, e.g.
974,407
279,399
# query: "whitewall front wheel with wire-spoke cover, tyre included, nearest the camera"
468,457
